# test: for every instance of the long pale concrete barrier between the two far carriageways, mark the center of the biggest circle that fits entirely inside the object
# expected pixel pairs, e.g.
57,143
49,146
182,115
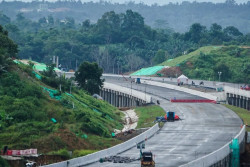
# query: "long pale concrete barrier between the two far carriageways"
178,88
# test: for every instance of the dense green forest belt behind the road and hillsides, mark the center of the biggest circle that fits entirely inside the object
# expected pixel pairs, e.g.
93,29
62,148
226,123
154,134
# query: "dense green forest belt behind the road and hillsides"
117,42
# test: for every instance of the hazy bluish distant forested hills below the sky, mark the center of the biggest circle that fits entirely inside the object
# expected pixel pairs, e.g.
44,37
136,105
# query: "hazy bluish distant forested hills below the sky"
176,16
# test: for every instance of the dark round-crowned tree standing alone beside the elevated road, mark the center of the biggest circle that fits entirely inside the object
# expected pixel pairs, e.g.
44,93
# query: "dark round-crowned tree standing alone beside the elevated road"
88,77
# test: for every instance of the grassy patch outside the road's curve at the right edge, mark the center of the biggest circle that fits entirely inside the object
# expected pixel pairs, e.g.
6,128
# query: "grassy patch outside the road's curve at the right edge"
242,113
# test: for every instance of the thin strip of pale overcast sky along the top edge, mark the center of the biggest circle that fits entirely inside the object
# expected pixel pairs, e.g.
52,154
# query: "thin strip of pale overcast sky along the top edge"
148,2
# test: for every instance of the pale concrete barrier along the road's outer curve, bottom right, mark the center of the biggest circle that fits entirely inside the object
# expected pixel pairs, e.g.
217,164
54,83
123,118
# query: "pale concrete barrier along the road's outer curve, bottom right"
218,155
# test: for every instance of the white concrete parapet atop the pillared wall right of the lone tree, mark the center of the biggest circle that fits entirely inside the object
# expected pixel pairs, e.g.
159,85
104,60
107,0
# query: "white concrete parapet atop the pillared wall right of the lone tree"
128,91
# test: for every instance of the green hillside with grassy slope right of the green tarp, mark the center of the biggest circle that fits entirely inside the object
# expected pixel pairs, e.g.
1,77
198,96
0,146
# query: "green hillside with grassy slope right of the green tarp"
206,62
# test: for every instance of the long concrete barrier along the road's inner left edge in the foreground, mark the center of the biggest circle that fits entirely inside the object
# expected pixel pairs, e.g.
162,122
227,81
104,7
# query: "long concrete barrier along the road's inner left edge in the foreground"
91,158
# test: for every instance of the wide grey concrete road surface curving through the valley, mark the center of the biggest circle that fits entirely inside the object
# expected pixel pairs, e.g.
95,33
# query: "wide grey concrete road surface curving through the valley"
203,129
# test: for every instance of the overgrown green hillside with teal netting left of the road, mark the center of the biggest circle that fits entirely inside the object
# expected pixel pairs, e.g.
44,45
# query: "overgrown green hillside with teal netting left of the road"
34,115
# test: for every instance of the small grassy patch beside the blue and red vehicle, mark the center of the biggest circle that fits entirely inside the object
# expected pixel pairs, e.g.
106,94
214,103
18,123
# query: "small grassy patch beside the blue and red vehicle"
147,115
